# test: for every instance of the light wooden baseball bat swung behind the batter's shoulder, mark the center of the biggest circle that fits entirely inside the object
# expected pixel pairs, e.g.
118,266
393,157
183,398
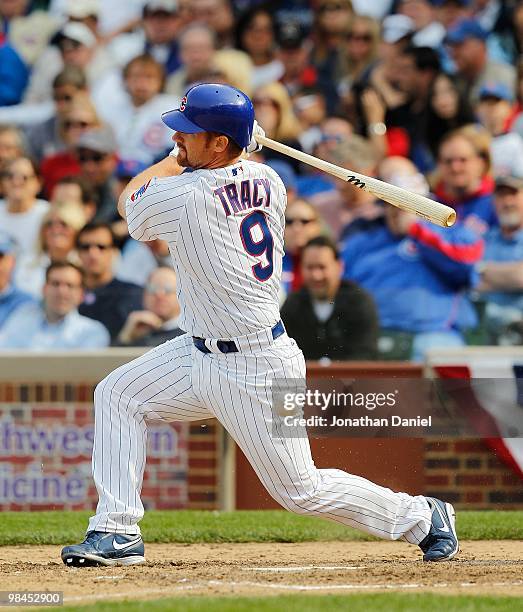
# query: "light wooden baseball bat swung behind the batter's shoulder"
428,209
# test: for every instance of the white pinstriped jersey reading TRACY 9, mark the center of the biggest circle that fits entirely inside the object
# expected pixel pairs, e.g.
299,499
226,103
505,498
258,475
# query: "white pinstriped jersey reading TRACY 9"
225,233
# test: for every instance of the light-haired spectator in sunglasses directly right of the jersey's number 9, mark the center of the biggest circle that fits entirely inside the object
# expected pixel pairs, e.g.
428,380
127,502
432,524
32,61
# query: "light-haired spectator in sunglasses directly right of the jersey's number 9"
302,223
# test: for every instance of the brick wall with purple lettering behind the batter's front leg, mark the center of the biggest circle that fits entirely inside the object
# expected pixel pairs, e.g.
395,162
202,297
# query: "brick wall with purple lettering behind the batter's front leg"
45,453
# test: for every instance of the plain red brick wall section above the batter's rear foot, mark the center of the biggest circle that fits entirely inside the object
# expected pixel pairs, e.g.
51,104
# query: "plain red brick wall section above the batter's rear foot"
468,473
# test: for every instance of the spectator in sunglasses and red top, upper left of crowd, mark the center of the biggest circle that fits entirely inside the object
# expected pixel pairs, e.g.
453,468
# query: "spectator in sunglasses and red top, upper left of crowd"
79,117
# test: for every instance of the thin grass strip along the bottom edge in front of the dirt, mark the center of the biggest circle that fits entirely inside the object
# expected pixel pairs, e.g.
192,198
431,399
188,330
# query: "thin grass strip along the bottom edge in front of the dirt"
386,602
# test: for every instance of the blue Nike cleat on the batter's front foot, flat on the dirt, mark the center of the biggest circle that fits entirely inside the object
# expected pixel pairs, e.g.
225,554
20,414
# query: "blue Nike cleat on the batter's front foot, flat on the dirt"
100,548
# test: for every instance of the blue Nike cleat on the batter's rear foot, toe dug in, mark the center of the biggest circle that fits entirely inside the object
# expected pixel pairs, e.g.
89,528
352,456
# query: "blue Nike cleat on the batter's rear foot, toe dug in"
441,544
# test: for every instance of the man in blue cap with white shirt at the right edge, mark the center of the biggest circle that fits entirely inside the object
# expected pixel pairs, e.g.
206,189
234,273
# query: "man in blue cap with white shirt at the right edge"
495,111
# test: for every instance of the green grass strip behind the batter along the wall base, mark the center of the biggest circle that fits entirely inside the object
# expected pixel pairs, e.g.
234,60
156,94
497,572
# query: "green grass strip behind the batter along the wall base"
186,526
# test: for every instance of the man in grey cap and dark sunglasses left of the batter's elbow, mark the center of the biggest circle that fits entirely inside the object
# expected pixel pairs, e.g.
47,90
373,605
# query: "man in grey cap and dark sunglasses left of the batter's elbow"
96,152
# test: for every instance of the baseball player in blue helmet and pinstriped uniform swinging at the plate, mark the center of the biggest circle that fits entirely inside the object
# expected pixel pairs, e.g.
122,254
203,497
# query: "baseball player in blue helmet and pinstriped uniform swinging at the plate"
223,217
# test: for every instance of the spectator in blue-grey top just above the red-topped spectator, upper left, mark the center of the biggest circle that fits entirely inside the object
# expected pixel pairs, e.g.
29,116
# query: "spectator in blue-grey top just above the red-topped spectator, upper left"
47,138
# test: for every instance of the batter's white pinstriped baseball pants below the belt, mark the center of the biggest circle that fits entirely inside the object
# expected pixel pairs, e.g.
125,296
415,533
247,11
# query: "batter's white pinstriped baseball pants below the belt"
177,382
